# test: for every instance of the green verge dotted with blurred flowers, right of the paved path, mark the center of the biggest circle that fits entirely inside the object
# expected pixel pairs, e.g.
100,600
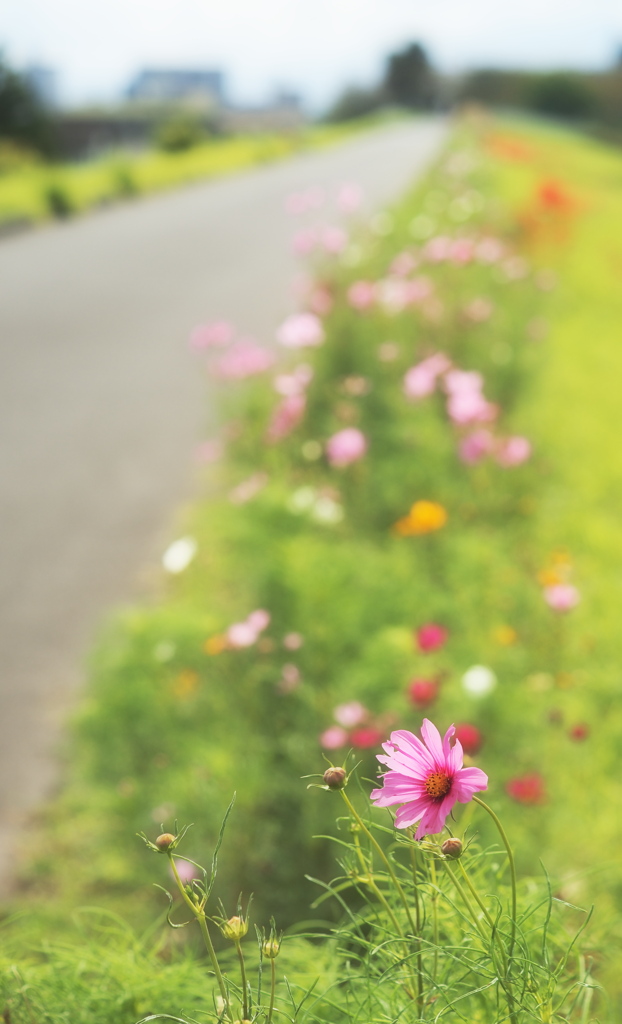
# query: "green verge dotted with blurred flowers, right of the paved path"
413,514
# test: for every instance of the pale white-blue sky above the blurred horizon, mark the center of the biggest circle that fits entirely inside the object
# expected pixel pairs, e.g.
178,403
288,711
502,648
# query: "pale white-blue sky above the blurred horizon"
314,47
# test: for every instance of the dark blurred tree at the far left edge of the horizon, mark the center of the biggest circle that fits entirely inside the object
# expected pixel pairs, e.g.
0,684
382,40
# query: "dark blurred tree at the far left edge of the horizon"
24,120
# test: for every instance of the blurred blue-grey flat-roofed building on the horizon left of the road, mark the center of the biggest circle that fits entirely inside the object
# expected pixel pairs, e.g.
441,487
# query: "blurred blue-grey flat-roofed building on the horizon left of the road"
200,90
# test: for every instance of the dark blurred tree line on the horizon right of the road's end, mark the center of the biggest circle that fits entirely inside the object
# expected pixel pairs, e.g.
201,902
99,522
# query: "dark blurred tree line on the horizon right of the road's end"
410,81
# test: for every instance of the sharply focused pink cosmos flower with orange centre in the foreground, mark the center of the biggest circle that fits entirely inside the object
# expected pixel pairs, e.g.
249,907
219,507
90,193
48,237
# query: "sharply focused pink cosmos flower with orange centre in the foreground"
427,779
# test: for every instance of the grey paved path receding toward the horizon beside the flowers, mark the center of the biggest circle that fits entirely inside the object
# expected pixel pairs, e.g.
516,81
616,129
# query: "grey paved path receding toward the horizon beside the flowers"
102,406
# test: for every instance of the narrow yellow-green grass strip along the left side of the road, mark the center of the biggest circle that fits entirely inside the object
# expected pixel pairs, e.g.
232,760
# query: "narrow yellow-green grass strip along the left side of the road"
37,192
